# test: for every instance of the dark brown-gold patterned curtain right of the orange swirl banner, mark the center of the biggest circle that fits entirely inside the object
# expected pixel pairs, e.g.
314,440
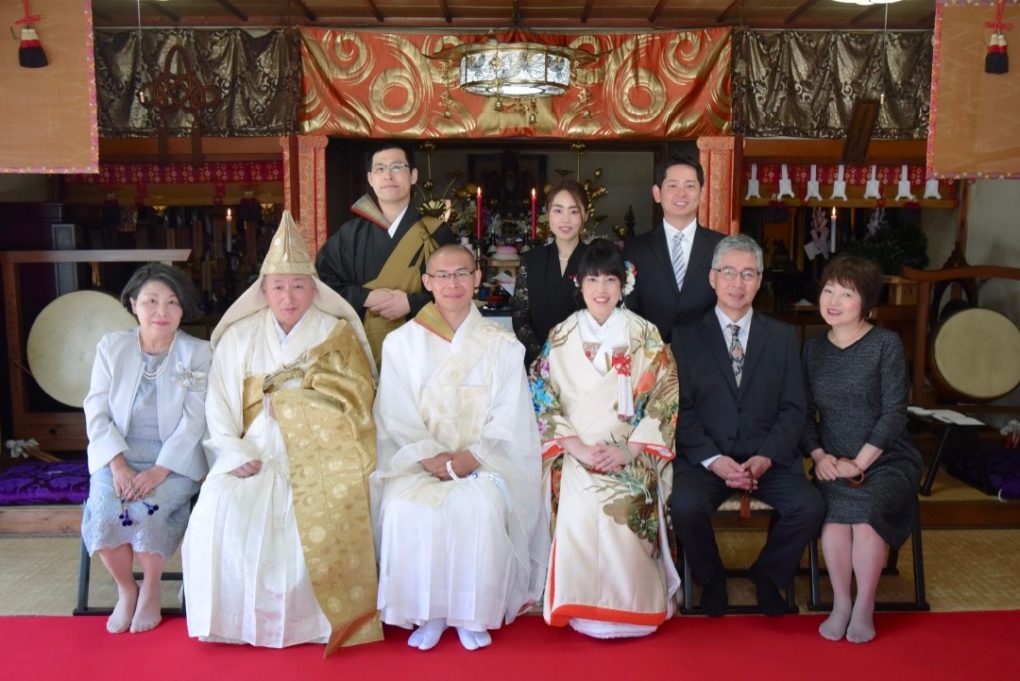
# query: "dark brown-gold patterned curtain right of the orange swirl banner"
805,84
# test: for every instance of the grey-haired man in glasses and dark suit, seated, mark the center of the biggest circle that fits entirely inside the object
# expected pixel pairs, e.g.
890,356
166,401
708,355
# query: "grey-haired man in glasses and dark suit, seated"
742,412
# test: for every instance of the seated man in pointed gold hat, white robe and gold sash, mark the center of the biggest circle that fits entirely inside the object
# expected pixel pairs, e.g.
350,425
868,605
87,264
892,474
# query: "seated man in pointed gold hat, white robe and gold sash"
279,550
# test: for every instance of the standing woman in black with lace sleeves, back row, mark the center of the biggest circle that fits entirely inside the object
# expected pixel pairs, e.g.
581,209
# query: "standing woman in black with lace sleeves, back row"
545,294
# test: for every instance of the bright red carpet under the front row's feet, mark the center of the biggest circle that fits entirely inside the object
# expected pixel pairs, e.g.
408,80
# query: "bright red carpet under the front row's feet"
910,646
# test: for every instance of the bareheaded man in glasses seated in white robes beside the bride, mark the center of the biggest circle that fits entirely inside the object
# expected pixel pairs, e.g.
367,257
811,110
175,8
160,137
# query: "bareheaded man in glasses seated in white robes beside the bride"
456,493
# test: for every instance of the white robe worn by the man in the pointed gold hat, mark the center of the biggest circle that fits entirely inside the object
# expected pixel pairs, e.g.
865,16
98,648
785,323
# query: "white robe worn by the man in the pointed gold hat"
245,573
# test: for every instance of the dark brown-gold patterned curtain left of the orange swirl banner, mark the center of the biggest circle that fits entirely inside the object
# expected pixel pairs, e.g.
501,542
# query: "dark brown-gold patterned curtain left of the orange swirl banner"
253,76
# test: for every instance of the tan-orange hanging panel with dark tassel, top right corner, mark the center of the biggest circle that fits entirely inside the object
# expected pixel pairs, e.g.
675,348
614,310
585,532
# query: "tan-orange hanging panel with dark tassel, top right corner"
976,116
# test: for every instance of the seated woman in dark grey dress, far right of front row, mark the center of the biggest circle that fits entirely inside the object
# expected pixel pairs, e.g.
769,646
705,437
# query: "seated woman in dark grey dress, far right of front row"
865,465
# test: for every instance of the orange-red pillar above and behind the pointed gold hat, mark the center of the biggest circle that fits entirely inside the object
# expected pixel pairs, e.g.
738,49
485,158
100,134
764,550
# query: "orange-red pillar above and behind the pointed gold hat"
304,186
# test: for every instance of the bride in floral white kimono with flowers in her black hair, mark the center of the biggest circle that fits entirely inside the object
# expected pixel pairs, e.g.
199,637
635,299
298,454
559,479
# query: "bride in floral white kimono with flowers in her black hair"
606,397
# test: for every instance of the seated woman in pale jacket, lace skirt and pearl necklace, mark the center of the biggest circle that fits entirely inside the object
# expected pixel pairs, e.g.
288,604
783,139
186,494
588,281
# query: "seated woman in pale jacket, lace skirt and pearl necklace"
145,417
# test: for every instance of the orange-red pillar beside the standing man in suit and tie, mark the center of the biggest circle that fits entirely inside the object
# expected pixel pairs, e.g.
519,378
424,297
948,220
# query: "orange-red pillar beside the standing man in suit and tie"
722,159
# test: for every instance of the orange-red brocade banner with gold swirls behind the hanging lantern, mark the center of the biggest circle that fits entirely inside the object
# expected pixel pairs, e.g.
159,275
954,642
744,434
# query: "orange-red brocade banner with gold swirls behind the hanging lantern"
648,86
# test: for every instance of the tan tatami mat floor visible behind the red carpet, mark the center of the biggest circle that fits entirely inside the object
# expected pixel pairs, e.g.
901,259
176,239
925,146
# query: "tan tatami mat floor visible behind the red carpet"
965,570
